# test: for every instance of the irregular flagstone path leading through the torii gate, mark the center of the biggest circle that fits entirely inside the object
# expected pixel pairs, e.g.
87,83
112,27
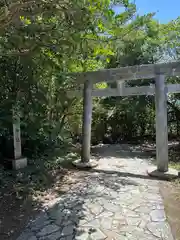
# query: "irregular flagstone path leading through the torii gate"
116,201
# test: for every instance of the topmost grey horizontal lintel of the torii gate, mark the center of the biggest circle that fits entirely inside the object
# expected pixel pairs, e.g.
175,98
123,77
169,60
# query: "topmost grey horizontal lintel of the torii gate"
147,71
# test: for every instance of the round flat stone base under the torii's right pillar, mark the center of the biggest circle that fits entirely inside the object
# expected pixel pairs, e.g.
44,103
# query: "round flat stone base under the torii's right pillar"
169,175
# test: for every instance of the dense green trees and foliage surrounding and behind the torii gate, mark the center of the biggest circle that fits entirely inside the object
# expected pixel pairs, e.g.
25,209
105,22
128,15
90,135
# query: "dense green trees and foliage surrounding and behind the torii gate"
42,41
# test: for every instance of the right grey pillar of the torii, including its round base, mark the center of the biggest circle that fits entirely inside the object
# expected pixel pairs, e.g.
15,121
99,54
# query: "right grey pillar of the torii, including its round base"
161,171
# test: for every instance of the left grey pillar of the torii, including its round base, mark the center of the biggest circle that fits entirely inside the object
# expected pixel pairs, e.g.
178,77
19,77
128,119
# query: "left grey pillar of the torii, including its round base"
86,161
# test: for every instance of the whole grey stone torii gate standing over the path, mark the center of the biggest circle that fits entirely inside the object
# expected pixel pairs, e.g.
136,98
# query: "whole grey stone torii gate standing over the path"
159,72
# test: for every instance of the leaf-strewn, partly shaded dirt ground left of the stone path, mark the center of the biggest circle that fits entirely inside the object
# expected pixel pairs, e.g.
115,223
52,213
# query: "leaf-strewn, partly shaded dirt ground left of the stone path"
19,203
